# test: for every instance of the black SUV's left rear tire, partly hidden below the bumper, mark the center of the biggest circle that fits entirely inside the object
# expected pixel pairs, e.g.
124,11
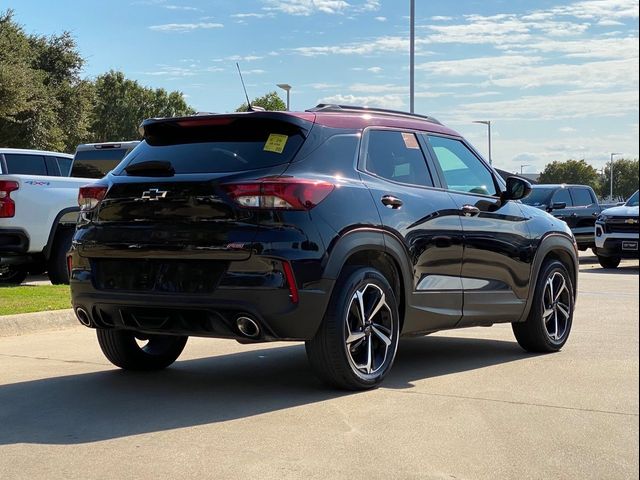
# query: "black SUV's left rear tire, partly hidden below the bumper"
122,349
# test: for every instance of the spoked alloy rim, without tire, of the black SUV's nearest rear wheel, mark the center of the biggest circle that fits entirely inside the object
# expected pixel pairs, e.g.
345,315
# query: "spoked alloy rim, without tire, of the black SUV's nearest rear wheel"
368,329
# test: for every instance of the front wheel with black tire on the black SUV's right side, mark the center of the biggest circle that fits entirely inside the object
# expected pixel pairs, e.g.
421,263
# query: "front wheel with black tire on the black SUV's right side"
534,334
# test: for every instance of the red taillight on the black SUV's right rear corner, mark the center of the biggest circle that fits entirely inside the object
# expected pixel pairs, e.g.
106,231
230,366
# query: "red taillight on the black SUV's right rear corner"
282,193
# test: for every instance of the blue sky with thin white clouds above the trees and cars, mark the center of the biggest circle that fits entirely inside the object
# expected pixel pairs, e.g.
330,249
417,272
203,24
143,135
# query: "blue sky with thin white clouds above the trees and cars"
558,79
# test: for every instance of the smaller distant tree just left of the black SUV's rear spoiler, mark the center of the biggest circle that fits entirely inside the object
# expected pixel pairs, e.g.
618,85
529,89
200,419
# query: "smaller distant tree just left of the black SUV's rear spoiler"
122,104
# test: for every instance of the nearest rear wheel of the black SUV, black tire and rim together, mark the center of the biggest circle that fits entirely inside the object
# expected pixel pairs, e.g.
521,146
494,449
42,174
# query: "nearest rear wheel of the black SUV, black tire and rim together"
374,340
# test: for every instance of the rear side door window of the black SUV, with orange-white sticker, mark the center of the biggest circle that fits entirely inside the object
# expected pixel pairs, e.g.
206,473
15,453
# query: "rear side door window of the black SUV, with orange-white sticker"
397,156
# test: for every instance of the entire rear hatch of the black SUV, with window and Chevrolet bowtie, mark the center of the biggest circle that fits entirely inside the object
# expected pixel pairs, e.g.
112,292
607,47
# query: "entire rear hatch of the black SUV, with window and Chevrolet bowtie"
167,203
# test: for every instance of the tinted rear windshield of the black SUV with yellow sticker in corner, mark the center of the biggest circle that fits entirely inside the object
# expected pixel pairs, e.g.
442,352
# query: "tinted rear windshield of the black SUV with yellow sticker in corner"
230,145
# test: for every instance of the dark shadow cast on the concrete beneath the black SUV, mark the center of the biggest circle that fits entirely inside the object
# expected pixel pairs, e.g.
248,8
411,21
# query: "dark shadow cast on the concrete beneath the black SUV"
111,404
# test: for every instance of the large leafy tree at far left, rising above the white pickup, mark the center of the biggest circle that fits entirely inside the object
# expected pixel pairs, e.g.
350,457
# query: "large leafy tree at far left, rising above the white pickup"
42,97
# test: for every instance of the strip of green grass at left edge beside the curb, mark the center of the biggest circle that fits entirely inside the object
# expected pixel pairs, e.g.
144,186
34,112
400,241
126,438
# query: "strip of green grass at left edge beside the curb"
27,298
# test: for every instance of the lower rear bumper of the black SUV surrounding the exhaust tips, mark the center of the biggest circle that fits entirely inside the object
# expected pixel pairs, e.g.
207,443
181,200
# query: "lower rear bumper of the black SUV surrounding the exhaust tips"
212,315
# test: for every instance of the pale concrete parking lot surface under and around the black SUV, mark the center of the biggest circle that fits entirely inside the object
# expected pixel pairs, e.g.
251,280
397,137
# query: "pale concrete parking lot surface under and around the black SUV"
457,404
